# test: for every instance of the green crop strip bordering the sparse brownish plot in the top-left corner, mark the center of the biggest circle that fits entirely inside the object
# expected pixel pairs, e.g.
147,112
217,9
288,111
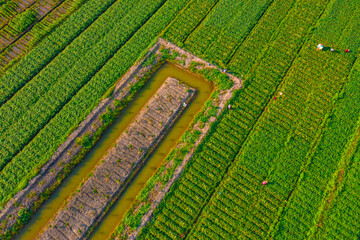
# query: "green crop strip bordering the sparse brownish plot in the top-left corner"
48,48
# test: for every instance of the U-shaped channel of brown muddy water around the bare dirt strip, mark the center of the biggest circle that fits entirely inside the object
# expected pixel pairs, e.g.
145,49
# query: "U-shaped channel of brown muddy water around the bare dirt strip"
116,213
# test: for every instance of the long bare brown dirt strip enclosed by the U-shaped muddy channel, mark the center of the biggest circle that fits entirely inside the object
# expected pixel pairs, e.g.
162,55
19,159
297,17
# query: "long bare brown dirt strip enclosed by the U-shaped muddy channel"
110,176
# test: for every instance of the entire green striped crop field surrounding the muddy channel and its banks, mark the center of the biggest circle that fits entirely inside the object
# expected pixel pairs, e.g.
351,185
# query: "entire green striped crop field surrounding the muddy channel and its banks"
294,123
